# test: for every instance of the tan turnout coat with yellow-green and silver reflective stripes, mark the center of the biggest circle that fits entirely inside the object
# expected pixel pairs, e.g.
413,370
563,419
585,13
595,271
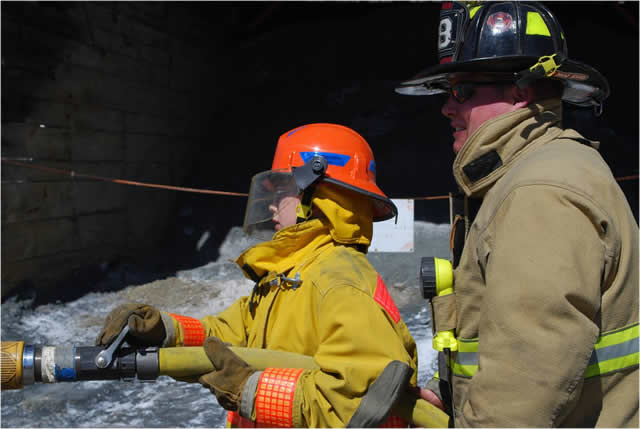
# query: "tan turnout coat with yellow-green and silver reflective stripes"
549,272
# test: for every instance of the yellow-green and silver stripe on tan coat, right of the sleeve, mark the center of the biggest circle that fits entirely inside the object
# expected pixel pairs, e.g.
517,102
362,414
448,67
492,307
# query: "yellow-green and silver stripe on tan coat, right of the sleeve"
613,351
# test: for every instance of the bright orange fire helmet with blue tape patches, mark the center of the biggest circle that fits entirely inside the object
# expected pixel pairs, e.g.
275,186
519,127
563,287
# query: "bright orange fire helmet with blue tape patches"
333,154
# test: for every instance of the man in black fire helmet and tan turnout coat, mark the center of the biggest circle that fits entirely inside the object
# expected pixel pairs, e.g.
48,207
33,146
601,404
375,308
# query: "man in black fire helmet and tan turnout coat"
544,244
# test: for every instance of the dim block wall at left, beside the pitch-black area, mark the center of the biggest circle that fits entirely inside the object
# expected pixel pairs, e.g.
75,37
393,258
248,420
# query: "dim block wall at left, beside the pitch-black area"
105,89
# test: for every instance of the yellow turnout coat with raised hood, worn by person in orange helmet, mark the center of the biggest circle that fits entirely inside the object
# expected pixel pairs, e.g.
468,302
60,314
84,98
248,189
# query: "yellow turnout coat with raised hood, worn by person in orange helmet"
340,312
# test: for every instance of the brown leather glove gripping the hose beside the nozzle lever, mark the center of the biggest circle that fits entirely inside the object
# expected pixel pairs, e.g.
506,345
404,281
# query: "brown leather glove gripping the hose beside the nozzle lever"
145,325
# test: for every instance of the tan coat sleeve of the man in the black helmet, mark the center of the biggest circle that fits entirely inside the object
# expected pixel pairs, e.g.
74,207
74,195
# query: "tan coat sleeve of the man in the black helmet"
543,260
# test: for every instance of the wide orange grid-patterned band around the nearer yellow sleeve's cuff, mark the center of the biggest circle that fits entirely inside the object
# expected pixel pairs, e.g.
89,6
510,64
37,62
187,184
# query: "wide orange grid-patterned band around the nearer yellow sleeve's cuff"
274,396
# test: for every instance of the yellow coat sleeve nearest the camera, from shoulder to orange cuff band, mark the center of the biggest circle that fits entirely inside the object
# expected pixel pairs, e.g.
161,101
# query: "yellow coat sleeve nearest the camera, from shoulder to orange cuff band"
357,341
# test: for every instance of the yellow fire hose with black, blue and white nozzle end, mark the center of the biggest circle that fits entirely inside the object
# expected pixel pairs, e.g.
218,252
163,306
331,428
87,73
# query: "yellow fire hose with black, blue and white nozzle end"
23,365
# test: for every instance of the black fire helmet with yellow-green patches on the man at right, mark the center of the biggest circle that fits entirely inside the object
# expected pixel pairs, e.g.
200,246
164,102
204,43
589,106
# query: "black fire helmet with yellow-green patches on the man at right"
522,41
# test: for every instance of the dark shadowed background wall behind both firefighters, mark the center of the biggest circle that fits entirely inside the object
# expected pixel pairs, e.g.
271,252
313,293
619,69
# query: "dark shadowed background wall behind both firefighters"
197,93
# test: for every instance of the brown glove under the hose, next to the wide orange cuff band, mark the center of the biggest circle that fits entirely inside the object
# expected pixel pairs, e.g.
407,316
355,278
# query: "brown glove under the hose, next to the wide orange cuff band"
231,375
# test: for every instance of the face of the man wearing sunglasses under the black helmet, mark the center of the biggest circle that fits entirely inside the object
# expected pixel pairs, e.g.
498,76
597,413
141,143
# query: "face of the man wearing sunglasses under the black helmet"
486,102
